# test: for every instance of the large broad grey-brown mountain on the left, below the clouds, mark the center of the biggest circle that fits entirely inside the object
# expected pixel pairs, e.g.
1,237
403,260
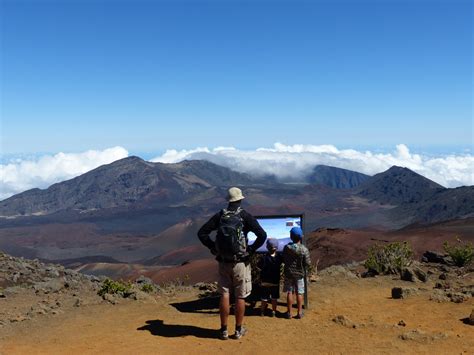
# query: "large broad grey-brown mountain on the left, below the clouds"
123,183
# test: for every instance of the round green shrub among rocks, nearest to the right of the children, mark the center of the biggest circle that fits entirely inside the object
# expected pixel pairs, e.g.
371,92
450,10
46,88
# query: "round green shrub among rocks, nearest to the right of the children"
390,258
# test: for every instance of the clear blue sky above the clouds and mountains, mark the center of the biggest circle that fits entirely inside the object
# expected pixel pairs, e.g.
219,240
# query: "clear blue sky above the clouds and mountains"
154,75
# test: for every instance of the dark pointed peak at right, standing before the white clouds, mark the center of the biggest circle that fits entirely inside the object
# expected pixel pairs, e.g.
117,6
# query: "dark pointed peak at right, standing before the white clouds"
397,186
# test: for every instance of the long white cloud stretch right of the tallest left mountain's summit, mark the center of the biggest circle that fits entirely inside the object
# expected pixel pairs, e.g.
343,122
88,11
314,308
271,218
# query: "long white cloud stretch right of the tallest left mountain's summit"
296,161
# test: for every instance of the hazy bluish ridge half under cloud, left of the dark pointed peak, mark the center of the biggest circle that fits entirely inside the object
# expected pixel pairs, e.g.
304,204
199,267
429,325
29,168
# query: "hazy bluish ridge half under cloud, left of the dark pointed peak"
336,177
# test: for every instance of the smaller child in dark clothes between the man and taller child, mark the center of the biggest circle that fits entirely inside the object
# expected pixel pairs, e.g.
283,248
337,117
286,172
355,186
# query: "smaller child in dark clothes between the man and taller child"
270,266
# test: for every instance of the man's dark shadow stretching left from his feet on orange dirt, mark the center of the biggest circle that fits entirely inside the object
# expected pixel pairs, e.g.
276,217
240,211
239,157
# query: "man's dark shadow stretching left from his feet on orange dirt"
159,328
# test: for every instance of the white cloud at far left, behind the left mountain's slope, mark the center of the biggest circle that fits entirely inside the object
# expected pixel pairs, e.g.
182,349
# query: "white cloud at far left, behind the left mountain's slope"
20,175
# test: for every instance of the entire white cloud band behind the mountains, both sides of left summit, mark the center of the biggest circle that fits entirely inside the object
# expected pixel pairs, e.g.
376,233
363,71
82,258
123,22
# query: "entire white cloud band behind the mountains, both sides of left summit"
287,162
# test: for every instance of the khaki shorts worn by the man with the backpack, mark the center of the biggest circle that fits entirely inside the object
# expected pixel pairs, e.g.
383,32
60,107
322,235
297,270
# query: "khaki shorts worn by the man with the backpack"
236,277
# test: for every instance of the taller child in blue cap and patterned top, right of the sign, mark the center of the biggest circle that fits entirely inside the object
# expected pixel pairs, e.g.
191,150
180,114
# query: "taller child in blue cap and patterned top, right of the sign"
296,258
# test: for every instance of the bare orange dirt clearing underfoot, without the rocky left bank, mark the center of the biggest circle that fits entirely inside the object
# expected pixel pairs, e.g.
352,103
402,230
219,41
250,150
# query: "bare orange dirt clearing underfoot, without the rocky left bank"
133,327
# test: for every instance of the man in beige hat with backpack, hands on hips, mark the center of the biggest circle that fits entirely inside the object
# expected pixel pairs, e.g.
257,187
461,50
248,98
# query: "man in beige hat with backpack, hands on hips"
233,254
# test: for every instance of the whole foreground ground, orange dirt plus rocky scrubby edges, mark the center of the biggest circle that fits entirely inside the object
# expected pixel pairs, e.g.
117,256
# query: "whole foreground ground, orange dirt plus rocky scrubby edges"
48,309
